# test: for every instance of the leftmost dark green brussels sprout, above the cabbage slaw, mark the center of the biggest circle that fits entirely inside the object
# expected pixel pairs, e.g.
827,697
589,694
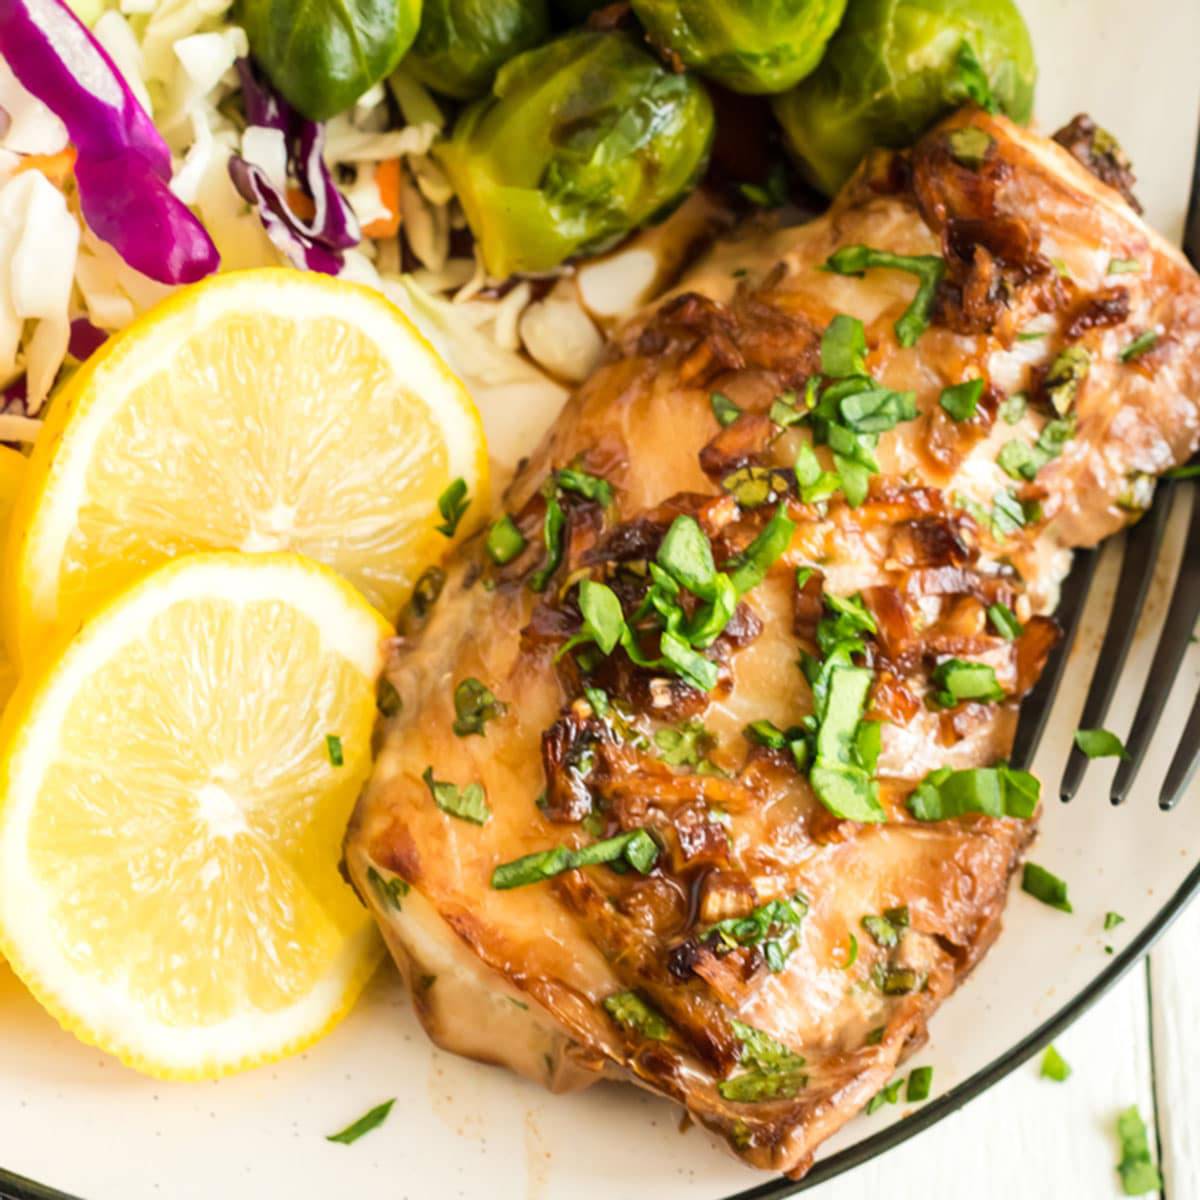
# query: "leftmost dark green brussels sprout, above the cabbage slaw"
323,55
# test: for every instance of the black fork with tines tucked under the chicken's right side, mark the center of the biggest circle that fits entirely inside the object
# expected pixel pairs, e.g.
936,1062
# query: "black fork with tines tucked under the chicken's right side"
1142,549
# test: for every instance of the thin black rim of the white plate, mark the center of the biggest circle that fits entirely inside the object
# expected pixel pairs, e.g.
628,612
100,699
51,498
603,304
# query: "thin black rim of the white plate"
19,1187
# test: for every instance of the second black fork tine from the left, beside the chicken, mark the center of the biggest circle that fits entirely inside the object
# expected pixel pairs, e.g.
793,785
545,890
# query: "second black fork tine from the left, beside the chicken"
1143,543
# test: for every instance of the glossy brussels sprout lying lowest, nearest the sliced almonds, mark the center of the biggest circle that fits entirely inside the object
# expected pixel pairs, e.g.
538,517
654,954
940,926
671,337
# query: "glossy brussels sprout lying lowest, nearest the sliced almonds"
581,141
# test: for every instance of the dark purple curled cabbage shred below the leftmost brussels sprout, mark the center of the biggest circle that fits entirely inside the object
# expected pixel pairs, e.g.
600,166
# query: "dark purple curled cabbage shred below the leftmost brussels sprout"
314,245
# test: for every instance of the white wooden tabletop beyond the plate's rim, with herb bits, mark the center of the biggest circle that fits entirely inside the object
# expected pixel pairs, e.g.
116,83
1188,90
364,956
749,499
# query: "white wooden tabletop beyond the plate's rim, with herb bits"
1034,1139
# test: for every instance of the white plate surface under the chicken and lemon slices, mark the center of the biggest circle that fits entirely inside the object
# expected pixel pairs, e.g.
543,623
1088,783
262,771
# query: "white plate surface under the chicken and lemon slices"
76,1121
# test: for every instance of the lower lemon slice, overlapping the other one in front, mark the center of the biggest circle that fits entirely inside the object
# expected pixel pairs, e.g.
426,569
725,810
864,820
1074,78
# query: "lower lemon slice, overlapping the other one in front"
176,789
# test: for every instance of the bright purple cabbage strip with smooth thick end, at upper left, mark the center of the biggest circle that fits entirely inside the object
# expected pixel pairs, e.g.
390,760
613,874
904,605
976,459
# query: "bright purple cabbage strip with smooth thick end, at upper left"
123,165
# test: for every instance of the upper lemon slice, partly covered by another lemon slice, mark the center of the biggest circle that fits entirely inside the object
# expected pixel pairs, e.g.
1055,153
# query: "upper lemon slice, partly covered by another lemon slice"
260,411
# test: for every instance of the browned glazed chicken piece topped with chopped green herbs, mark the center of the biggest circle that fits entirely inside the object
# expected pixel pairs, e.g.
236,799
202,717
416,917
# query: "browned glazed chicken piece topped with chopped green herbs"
694,773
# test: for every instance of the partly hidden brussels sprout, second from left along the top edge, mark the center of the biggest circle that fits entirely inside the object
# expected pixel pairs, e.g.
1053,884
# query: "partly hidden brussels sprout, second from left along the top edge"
463,44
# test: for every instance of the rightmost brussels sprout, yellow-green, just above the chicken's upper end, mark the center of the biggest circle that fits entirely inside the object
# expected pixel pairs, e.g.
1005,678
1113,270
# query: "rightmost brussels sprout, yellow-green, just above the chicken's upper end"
898,65
